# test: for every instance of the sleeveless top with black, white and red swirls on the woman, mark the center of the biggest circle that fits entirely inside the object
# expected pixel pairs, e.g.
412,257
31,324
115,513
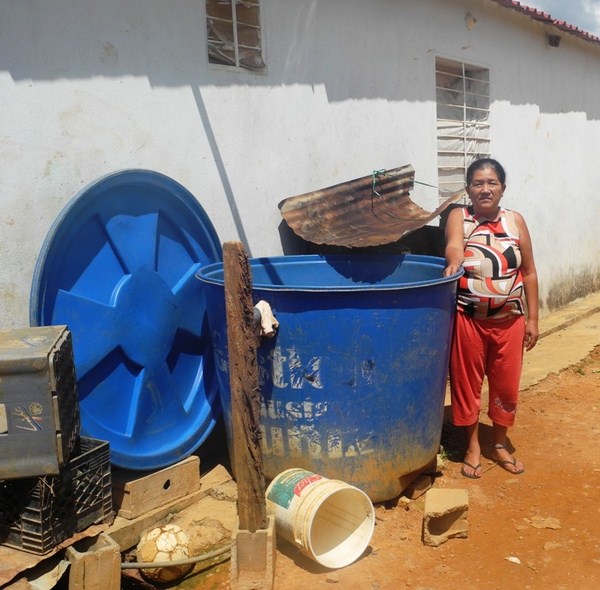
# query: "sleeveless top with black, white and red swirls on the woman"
492,285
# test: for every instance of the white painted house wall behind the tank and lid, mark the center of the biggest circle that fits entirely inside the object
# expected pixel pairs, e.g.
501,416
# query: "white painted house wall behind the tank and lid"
89,87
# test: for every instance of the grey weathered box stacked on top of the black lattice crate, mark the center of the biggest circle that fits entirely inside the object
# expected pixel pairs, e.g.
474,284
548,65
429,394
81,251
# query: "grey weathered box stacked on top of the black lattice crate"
39,408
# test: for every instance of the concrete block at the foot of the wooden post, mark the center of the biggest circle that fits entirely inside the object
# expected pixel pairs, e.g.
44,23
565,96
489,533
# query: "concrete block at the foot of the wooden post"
253,558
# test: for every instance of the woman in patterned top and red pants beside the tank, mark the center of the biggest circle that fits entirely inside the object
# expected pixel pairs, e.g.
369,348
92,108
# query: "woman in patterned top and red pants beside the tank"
492,324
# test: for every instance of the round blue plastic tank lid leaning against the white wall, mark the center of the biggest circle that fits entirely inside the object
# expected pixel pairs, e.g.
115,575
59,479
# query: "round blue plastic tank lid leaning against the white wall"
118,267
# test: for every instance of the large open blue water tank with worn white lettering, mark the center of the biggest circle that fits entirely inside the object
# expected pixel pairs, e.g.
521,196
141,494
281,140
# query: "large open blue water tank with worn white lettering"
353,384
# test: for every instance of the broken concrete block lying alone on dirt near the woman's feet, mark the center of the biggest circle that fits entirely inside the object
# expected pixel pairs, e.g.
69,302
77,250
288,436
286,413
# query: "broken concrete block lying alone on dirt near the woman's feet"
445,516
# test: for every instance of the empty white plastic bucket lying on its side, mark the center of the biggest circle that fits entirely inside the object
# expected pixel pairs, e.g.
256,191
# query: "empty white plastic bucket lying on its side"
330,521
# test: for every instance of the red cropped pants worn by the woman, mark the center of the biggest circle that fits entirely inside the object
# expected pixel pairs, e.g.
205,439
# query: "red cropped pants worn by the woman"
486,348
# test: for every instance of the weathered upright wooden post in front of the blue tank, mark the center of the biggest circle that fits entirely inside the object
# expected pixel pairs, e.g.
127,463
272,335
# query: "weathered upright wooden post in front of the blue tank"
245,391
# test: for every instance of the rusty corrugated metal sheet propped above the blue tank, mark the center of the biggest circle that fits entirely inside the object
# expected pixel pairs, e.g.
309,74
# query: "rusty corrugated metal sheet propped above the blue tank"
368,211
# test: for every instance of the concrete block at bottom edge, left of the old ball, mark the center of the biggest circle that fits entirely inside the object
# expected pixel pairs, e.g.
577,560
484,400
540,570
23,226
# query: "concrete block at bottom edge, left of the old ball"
95,564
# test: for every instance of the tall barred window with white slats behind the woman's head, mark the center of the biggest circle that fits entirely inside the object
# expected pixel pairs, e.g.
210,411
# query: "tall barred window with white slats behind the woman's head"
463,114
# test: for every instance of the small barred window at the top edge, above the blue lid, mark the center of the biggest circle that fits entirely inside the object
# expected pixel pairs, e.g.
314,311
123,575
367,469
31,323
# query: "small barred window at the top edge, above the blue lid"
234,36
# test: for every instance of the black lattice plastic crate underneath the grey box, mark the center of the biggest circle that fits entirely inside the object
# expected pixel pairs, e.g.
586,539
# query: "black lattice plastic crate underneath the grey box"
36,514
